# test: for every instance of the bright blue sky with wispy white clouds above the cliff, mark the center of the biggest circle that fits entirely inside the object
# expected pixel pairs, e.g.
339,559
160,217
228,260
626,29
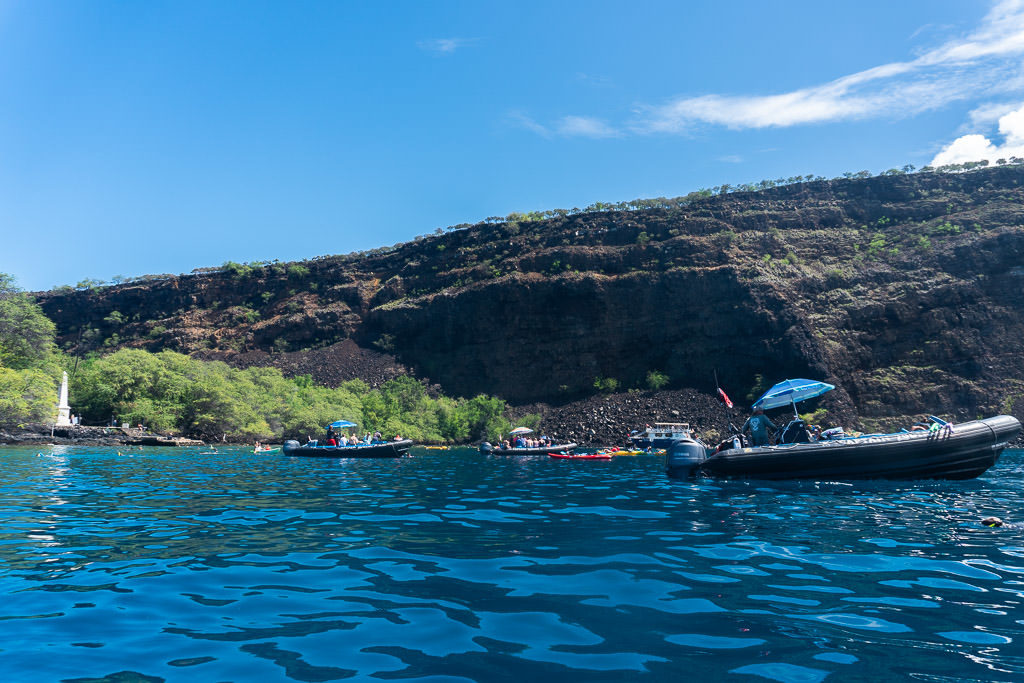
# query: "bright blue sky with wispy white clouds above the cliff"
149,138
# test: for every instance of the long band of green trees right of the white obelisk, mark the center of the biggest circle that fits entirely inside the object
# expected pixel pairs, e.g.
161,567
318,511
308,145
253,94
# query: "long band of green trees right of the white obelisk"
174,394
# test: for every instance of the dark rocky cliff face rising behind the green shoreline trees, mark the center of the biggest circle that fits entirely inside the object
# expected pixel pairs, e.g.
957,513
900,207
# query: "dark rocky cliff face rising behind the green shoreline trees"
905,291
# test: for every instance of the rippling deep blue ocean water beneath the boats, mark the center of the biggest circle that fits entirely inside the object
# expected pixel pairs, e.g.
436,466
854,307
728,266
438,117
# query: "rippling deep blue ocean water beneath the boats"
161,565
